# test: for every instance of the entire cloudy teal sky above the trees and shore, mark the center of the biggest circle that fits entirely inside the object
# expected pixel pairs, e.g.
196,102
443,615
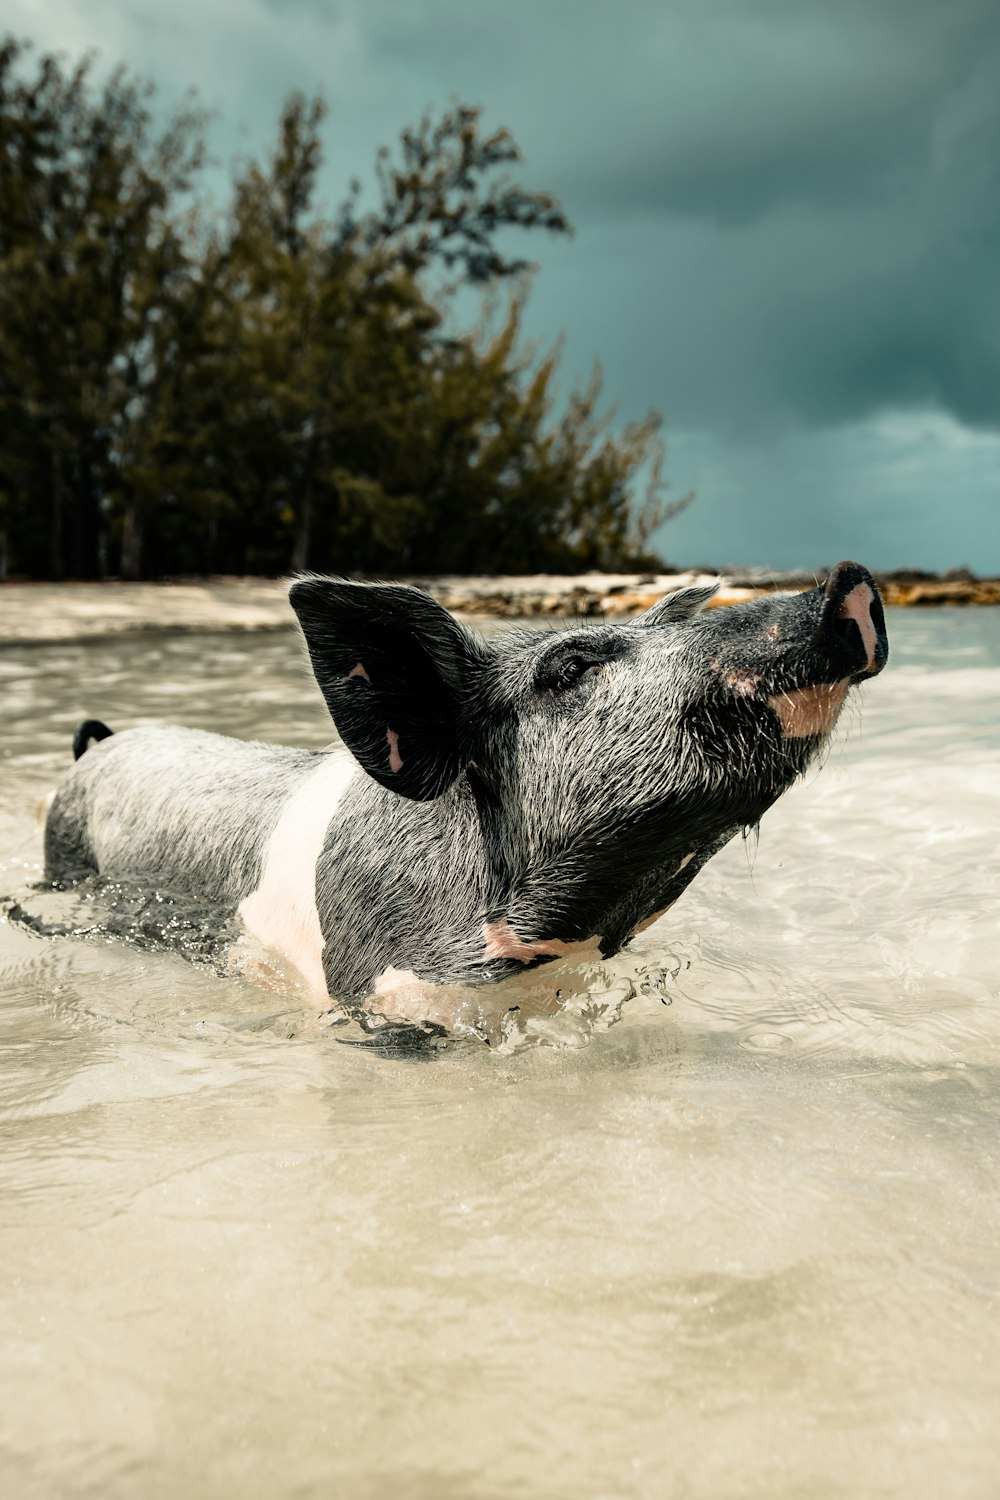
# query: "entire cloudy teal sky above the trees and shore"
788,226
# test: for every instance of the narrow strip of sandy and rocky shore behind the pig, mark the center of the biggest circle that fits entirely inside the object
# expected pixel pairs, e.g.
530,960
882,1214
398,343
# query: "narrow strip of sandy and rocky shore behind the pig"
50,613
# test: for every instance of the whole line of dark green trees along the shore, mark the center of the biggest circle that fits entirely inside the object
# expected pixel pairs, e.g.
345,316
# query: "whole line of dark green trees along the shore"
190,389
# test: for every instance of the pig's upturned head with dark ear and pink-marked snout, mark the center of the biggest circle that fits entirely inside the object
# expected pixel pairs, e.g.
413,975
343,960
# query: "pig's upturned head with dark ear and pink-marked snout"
608,763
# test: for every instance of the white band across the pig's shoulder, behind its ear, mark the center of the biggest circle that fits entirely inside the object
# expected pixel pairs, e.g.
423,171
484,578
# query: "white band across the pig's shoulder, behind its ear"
283,913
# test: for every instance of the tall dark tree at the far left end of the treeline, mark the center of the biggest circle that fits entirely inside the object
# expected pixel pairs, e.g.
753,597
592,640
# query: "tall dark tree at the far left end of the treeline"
91,263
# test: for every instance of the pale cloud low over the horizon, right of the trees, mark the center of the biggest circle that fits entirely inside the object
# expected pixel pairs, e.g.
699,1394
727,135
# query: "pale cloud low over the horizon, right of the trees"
896,491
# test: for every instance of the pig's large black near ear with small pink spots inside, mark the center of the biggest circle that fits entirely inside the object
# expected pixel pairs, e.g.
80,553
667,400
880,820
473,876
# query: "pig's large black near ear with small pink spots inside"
398,674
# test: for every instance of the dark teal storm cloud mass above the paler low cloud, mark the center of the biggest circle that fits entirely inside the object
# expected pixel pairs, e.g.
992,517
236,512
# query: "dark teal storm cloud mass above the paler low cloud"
800,203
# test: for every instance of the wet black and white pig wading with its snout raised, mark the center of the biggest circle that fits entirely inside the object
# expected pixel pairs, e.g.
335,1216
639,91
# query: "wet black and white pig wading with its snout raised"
500,805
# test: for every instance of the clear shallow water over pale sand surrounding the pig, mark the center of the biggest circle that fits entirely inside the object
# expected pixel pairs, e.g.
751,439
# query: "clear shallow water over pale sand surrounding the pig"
743,1244
